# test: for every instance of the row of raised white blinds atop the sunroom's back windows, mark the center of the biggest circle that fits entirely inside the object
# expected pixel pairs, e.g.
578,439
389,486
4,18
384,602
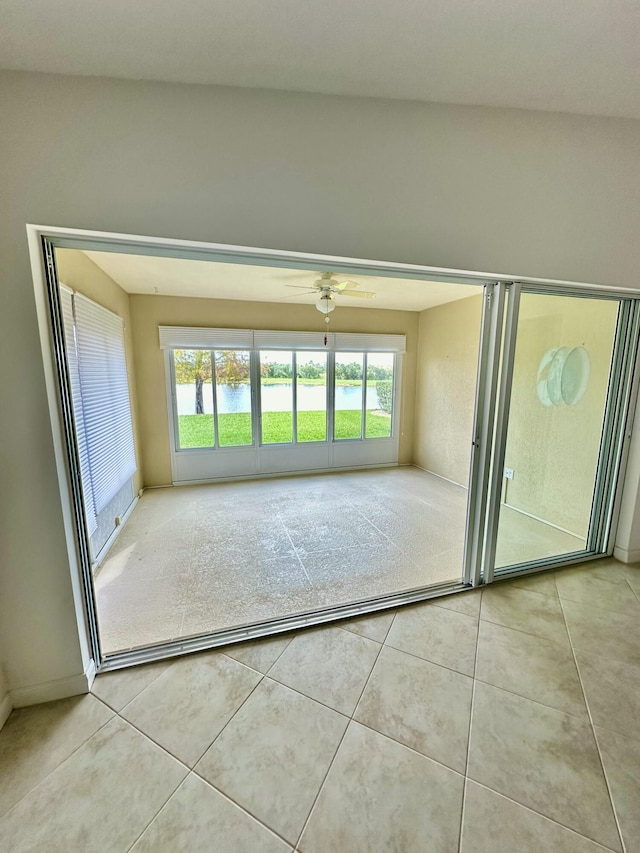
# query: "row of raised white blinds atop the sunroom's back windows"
179,337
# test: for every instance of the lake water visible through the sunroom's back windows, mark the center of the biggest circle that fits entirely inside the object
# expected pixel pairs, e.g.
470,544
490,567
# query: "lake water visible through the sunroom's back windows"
275,398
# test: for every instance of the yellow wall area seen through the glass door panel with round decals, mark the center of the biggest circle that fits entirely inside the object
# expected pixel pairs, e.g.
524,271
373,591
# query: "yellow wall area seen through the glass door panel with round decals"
554,450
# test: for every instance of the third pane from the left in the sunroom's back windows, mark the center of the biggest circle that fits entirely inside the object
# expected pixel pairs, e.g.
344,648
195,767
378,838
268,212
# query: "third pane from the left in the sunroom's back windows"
276,393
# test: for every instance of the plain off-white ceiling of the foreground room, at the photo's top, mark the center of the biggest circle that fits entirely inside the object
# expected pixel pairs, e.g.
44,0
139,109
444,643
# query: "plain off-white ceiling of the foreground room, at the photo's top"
579,56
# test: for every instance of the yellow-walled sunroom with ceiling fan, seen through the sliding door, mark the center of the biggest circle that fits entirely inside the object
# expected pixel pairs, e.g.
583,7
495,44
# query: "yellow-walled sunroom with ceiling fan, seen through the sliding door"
168,558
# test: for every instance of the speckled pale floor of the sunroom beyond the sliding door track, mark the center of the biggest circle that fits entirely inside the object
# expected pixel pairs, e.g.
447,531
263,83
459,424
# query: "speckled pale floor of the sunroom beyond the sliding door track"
201,558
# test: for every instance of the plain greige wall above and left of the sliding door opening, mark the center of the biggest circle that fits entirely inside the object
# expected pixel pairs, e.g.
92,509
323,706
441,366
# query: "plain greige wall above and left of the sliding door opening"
523,193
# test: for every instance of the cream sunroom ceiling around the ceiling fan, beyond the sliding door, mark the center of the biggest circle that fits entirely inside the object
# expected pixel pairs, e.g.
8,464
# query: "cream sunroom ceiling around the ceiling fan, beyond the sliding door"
181,277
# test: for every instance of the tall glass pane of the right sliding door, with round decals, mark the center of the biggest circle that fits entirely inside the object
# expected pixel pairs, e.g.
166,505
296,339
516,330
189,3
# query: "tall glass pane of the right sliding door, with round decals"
561,372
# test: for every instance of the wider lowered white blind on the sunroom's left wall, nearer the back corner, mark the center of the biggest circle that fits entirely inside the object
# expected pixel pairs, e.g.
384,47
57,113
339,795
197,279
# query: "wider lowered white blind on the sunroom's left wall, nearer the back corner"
105,398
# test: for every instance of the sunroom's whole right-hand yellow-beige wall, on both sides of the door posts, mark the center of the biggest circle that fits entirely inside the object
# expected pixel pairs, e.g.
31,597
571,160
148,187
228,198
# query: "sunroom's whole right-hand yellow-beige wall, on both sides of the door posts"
553,450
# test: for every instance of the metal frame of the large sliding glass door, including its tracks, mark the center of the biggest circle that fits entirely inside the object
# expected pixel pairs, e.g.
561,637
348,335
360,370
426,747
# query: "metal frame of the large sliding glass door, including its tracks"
43,240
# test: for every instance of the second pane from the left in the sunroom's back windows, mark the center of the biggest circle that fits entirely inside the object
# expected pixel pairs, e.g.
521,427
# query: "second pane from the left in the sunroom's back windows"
233,397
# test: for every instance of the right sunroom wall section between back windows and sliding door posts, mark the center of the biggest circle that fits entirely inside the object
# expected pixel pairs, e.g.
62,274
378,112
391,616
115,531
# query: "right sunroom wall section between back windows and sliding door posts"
449,337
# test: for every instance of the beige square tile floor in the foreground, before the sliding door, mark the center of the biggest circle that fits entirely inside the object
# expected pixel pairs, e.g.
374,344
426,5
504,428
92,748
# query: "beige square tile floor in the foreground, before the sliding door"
499,720
